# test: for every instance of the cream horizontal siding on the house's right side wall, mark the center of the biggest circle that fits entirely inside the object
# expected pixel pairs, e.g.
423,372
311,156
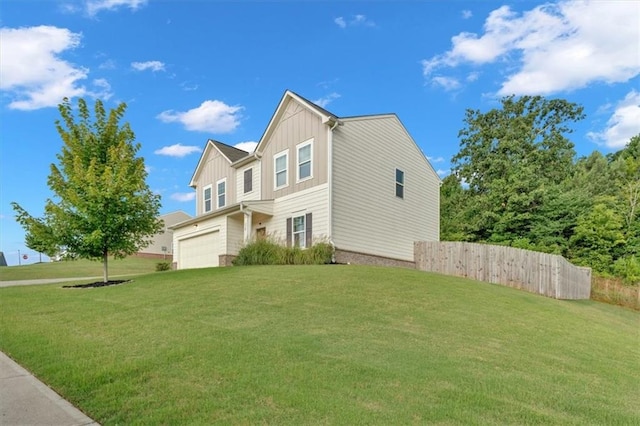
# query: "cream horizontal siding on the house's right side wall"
366,214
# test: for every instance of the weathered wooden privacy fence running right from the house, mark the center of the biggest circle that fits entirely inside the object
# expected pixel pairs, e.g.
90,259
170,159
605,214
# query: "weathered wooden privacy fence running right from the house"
542,273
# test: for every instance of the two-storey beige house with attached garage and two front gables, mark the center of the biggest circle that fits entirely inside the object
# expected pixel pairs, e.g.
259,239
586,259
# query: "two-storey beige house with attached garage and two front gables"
360,183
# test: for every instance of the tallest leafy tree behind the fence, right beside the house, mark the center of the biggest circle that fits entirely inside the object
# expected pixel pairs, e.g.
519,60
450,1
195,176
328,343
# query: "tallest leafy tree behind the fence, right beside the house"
512,158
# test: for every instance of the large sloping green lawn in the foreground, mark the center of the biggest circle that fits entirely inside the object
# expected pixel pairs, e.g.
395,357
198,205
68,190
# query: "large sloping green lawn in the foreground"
325,345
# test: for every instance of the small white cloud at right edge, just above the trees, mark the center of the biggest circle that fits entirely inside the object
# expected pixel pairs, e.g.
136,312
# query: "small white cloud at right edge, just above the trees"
623,124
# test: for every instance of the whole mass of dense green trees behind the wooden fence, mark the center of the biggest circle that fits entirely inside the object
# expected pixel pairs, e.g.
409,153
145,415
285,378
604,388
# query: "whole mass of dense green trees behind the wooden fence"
516,181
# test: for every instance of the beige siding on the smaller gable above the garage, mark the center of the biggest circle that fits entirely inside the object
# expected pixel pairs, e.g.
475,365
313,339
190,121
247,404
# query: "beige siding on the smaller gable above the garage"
215,168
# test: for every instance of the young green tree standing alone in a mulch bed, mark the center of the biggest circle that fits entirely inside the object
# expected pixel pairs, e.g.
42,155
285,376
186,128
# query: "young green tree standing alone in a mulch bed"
103,205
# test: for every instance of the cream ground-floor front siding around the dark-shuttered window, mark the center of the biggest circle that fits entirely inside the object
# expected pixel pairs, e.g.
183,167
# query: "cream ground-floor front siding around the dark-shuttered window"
314,200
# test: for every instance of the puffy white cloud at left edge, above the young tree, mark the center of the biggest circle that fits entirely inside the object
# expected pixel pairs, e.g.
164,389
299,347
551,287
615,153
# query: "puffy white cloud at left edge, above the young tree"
33,72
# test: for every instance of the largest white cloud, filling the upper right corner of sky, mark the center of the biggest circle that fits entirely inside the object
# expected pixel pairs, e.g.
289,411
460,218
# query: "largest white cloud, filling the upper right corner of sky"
552,47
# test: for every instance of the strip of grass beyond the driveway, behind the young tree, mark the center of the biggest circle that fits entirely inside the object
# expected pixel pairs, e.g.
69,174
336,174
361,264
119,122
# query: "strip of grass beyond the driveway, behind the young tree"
77,268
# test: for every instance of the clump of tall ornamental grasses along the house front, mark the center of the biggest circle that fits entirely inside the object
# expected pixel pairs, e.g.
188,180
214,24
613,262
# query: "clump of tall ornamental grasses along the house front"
268,252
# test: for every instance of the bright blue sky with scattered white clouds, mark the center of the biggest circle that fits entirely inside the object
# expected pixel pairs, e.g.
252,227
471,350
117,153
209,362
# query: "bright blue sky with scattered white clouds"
193,69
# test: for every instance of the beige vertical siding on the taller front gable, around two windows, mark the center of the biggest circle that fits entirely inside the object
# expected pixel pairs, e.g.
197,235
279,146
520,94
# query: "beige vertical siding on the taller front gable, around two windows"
296,125
